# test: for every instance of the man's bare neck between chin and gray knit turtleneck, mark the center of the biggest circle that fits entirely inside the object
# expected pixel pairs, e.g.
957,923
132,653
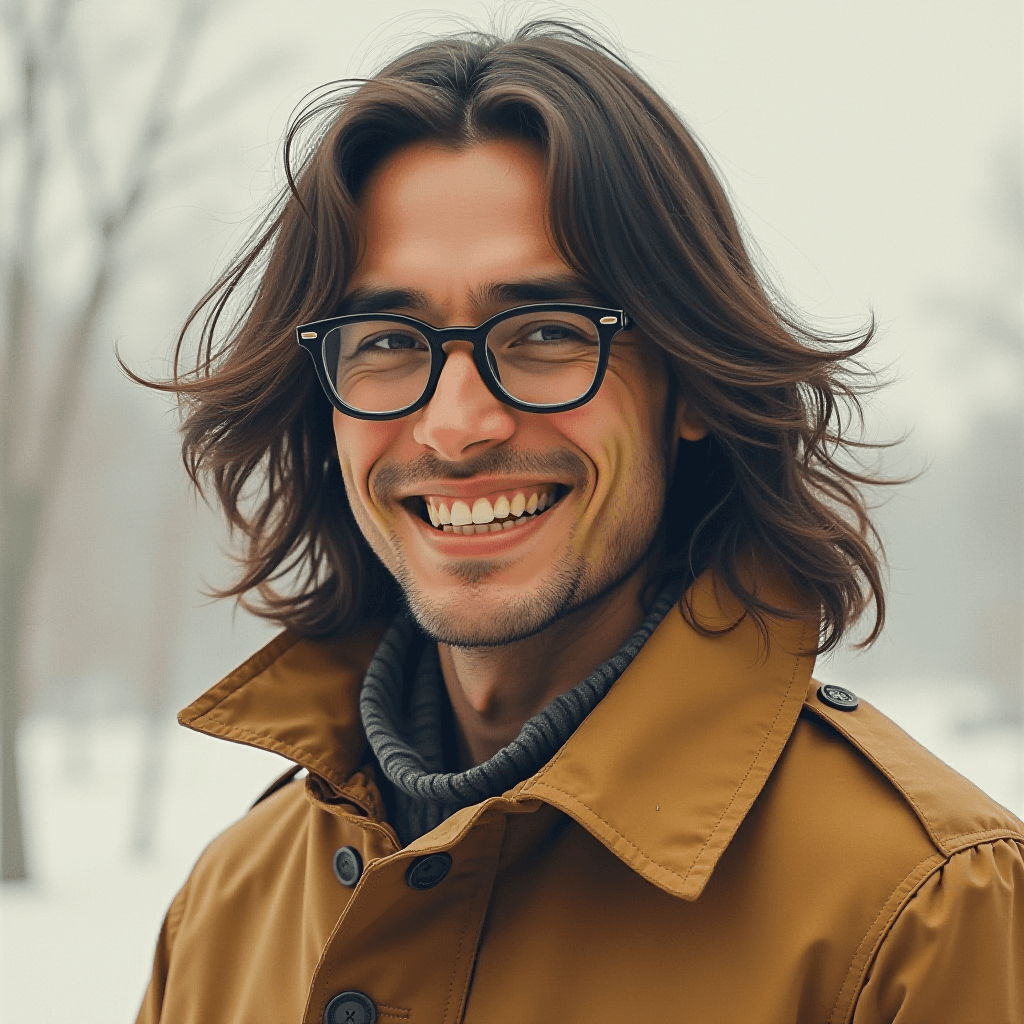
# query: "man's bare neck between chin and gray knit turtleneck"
496,691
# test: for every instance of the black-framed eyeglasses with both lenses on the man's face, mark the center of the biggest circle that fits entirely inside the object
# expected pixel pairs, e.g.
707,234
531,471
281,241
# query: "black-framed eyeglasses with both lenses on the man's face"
544,358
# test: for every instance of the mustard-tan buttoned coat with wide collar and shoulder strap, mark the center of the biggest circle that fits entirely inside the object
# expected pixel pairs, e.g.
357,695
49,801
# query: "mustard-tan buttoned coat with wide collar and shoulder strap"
714,844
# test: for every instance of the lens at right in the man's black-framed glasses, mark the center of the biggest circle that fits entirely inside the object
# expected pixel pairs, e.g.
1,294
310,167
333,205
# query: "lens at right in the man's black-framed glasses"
545,359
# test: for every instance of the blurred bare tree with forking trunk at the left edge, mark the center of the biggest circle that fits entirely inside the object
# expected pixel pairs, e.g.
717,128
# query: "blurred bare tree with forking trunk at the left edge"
54,111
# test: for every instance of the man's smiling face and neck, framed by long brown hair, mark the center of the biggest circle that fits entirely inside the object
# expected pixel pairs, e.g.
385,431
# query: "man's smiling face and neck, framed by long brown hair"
522,542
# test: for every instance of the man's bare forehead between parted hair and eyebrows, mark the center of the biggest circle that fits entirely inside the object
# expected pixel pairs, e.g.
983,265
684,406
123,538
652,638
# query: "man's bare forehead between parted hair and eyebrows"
445,222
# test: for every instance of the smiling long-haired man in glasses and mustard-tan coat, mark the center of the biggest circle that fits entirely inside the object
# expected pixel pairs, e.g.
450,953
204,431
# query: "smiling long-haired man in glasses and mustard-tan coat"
565,511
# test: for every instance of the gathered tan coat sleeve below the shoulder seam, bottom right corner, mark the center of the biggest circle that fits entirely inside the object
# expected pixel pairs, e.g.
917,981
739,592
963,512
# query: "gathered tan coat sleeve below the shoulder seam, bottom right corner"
956,953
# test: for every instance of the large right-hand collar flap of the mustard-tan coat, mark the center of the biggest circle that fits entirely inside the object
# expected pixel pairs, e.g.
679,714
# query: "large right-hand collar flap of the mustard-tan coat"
667,766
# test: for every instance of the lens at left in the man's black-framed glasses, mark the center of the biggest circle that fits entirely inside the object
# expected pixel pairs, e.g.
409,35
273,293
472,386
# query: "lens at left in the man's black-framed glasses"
377,366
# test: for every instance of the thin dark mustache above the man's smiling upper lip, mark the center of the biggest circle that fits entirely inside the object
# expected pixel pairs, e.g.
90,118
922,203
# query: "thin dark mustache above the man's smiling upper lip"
560,464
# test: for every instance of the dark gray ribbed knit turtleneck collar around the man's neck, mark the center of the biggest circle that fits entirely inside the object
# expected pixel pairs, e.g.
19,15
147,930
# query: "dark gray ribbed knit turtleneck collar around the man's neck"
404,726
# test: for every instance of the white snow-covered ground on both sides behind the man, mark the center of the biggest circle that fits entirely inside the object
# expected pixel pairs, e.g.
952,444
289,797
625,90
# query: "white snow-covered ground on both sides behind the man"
77,942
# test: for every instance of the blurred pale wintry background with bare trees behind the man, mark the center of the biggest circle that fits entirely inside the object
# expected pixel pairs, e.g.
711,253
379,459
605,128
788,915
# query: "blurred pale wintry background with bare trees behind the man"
874,154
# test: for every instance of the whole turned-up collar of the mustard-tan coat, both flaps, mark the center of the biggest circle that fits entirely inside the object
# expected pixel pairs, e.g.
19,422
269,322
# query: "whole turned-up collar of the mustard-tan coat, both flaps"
663,772
